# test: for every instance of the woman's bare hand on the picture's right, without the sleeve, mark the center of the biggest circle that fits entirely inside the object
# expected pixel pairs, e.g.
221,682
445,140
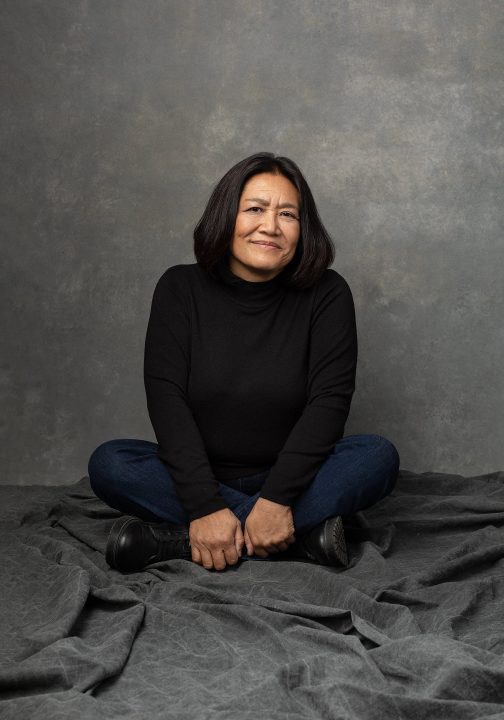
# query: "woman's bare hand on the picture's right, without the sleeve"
269,528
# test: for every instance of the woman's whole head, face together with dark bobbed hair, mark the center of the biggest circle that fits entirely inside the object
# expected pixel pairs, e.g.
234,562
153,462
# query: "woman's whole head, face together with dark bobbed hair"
262,202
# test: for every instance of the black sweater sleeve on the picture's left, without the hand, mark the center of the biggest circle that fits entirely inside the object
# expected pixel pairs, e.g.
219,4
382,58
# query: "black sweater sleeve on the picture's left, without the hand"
166,372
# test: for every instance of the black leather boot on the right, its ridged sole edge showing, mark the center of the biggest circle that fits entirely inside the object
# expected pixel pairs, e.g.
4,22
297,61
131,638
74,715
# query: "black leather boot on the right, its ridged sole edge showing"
324,544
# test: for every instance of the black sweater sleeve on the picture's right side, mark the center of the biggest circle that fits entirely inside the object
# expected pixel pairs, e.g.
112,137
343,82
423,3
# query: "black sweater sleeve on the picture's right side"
331,383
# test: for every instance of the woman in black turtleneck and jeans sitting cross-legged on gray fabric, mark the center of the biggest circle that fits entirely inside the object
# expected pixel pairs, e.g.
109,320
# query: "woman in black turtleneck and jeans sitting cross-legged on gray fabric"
249,370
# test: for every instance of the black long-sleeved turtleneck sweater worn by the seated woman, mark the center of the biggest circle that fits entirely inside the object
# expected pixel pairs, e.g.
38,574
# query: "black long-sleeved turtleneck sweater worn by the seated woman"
243,376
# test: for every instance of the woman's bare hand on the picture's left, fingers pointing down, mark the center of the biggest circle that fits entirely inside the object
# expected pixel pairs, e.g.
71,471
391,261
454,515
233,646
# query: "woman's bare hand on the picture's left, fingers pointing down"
216,539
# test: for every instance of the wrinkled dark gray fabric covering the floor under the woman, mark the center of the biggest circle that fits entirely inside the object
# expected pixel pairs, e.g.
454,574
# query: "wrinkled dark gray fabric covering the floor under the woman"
413,629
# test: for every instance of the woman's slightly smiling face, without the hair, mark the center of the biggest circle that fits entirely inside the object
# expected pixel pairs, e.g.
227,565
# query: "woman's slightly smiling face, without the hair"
267,228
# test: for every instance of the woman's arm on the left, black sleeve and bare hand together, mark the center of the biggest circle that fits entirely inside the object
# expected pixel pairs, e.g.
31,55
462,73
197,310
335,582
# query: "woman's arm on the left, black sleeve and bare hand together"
215,532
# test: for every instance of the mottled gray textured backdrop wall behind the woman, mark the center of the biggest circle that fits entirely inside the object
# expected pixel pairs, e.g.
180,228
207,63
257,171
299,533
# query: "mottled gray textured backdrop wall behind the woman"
118,117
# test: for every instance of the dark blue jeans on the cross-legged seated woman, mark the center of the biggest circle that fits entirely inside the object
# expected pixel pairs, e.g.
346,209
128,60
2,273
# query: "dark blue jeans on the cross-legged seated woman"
129,476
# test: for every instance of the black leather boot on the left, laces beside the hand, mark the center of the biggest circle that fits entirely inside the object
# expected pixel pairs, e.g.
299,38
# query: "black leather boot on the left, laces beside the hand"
133,543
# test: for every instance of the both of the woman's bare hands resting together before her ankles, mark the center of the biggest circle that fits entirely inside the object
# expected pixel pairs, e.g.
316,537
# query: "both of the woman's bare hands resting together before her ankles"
217,539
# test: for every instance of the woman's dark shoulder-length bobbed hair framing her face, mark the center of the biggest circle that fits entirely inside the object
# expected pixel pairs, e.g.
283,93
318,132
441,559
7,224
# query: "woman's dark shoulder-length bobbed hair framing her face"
214,231
